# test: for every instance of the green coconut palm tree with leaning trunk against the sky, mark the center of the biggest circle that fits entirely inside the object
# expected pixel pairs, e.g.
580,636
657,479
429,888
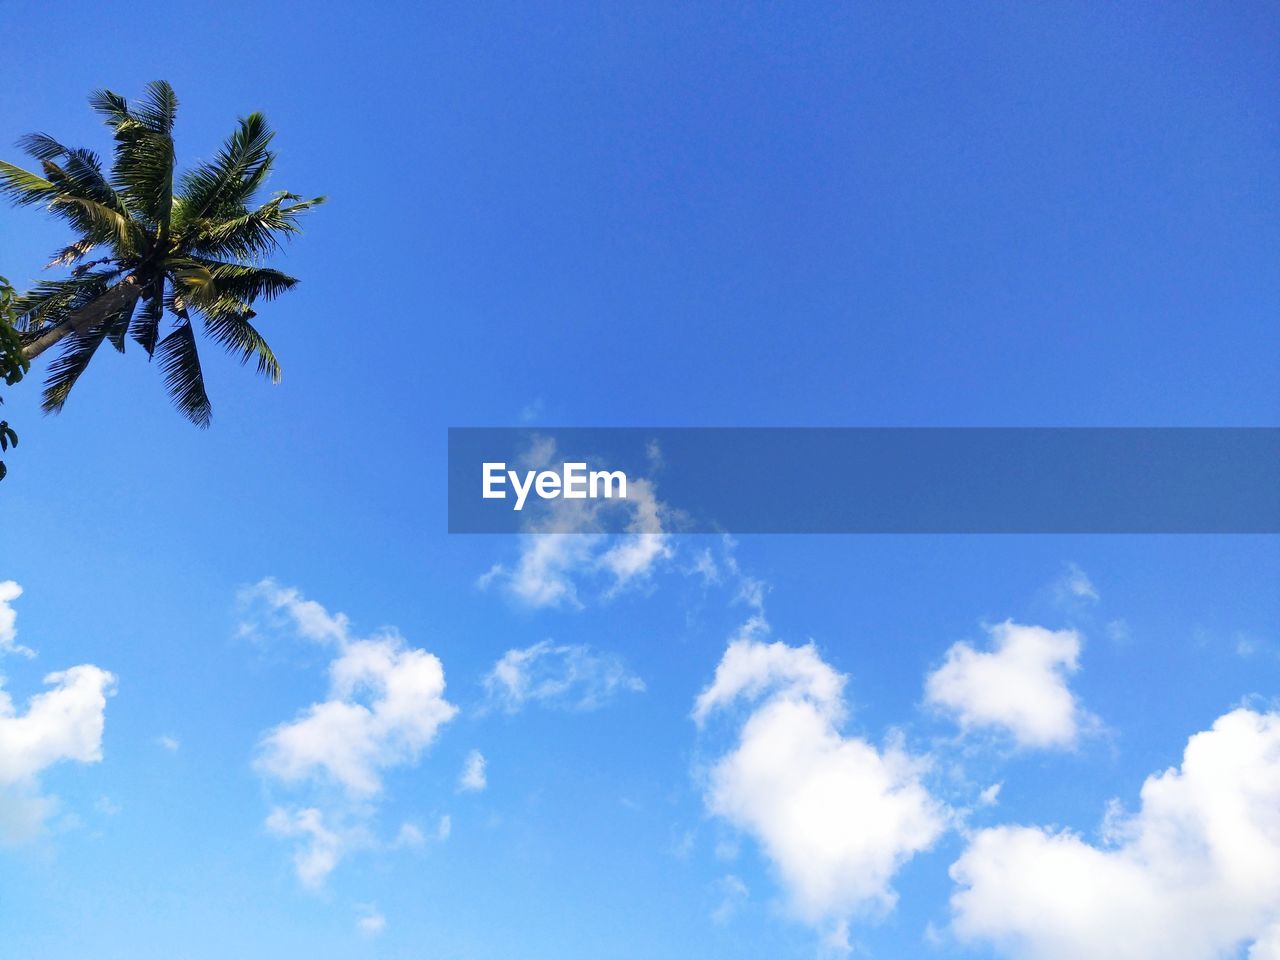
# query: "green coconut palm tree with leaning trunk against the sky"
185,248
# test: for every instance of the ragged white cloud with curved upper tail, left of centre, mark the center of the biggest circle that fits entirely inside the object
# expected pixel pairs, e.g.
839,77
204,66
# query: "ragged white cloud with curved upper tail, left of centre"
386,706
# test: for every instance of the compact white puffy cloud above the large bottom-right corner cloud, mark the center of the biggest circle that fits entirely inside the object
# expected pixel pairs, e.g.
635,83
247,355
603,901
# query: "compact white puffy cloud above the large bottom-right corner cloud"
1018,687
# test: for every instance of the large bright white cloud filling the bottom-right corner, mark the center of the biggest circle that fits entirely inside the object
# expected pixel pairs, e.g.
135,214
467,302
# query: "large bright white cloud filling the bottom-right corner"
1194,875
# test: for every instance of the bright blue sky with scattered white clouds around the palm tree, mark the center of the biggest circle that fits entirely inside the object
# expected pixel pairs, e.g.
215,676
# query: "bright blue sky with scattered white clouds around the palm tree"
607,216
